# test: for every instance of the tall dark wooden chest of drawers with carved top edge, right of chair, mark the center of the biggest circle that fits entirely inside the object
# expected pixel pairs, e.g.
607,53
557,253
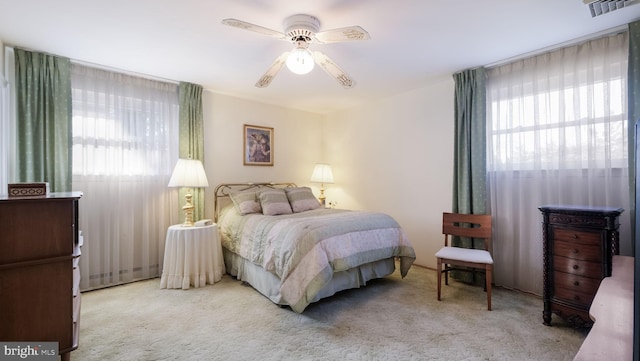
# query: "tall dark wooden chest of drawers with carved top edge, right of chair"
579,243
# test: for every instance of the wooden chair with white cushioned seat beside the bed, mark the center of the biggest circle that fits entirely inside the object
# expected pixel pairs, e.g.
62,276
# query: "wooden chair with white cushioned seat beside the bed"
476,226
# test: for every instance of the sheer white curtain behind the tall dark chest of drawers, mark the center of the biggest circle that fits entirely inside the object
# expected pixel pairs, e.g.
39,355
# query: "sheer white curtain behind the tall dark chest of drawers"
557,134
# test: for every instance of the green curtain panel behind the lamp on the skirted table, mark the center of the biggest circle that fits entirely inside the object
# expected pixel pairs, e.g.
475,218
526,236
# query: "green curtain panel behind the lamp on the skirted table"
192,136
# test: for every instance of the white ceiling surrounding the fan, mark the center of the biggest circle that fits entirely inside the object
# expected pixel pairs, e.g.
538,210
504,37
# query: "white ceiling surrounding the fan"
413,42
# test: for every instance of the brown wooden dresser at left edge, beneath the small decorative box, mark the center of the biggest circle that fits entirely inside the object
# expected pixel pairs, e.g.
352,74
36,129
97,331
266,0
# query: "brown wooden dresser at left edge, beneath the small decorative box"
39,274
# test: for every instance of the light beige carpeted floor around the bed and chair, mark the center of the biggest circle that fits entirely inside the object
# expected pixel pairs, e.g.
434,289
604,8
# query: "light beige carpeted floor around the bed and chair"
389,319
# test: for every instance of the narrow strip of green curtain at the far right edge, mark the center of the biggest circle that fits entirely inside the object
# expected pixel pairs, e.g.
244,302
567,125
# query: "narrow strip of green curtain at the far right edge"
633,90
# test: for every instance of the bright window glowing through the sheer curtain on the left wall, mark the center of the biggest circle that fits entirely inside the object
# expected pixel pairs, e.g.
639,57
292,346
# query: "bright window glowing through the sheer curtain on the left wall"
122,125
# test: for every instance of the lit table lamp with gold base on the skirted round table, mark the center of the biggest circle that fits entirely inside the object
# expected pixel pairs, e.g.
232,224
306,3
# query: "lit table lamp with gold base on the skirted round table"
188,173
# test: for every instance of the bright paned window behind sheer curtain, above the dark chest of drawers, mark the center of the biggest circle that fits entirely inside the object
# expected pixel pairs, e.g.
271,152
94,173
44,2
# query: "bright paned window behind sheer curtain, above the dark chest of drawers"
541,131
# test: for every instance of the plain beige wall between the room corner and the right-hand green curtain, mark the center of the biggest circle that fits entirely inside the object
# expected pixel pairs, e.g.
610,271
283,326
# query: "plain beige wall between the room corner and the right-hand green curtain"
396,156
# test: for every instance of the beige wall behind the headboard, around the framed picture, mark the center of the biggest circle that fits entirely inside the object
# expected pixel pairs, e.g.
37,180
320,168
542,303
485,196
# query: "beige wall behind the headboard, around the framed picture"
297,143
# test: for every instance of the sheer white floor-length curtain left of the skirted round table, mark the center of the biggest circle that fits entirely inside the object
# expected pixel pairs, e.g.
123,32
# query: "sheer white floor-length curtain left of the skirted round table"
125,144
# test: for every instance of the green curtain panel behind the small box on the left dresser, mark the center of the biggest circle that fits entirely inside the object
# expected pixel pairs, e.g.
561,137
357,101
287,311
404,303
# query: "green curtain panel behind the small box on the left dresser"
43,119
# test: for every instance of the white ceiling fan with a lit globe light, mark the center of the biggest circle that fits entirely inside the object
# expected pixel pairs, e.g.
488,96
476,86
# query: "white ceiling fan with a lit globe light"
302,30
